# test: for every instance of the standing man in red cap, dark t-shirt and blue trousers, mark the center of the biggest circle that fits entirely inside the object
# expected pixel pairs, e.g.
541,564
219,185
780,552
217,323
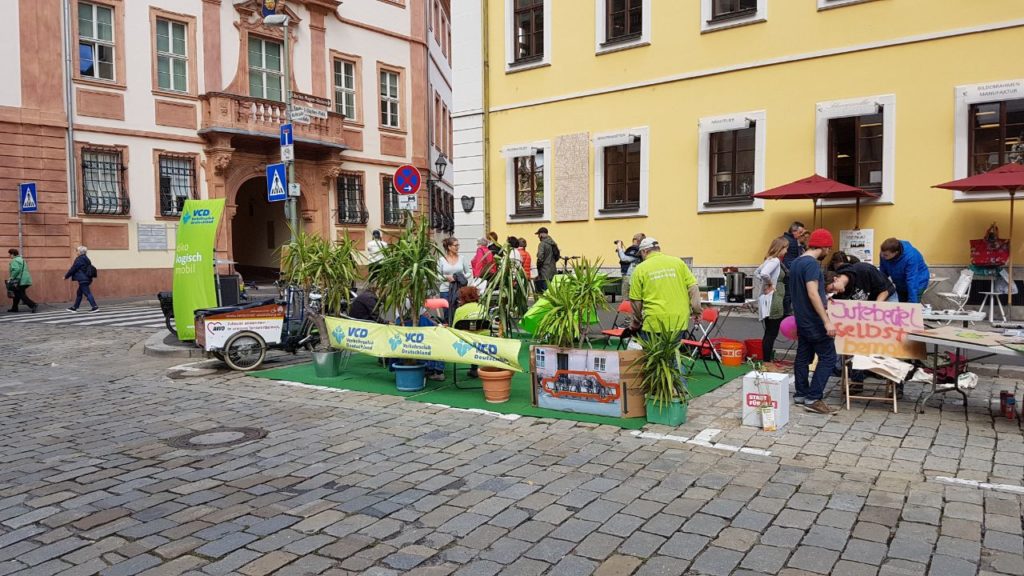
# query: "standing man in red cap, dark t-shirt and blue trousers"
816,334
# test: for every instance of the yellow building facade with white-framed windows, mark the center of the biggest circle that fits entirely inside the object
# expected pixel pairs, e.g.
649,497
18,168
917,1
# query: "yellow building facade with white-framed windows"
666,118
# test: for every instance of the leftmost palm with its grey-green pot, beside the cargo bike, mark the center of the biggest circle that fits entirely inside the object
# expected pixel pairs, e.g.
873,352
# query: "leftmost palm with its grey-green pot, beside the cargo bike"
330,269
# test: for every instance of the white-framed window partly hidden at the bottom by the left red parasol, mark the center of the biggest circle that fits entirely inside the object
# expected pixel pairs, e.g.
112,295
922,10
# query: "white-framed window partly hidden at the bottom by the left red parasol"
856,144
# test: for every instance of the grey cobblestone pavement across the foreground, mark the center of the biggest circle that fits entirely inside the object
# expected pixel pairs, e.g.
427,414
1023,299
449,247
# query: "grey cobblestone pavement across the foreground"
348,483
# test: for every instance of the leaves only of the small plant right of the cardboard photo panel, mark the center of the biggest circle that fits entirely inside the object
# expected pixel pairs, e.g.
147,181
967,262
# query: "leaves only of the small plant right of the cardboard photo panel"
662,368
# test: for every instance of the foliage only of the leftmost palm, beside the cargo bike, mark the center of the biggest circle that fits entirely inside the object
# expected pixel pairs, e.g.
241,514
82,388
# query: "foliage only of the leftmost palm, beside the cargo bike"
312,261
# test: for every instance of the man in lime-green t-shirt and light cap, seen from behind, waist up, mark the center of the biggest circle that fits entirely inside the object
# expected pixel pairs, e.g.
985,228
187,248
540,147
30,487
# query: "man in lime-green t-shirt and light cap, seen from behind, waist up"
663,292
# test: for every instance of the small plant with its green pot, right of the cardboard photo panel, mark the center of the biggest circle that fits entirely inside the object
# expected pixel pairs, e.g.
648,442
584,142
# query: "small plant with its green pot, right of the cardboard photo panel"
662,378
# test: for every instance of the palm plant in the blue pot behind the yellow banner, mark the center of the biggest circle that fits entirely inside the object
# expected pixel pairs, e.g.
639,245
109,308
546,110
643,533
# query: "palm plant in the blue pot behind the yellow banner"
403,278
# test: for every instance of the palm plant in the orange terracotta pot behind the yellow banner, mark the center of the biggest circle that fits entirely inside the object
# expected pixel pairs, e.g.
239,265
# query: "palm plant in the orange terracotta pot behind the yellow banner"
507,297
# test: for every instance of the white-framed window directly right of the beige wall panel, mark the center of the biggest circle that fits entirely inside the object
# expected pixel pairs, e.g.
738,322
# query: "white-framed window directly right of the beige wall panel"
622,169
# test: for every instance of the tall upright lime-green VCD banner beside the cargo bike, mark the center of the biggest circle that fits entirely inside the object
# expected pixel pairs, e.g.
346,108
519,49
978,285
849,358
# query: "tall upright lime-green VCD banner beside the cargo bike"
195,272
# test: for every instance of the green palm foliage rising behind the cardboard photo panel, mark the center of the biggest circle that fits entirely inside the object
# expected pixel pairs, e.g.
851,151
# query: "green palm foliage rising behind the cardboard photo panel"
576,299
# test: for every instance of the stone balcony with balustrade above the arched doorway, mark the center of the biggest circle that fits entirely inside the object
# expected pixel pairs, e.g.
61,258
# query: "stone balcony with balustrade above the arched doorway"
240,115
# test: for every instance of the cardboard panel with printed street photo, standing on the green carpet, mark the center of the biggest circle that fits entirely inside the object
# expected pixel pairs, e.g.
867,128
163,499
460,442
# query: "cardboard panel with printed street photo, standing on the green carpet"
587,382
